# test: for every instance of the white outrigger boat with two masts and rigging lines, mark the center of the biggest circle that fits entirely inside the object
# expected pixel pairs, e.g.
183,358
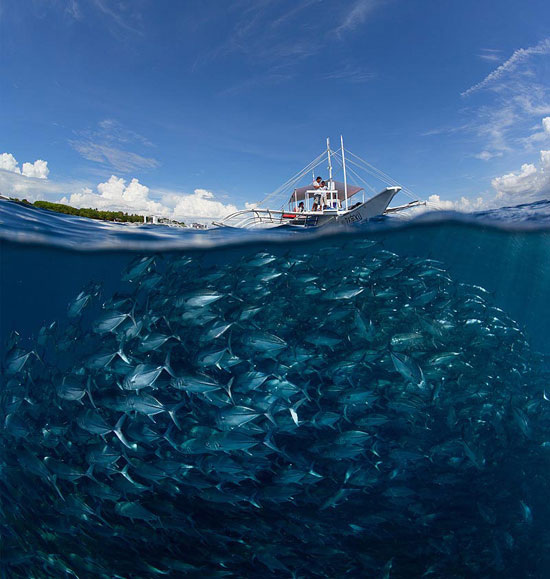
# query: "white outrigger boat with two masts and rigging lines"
340,204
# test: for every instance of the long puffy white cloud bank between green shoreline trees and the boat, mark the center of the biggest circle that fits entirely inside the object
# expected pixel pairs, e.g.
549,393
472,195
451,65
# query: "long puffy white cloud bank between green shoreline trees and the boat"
116,195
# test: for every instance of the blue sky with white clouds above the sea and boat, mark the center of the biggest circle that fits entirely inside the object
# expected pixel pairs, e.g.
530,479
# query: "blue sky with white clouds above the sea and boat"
196,108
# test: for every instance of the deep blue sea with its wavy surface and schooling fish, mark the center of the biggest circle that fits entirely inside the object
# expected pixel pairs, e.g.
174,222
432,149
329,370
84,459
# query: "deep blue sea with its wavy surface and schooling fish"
364,403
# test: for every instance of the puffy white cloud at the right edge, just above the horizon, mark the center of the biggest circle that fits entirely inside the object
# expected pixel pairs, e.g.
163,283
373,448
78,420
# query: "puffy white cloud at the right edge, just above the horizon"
528,184
